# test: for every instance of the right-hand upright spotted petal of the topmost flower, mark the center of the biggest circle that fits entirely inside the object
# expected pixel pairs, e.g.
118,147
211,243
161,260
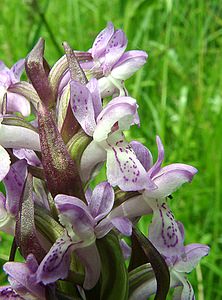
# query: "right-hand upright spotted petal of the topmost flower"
114,50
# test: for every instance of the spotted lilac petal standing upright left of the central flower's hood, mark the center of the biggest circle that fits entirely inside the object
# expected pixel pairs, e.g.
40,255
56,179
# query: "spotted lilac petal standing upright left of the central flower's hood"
82,106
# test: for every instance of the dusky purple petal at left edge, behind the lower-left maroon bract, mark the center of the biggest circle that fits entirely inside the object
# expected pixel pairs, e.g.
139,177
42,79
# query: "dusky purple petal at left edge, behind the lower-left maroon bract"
14,182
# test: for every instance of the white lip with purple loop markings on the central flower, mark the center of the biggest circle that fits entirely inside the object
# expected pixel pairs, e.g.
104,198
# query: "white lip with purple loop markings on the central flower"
123,167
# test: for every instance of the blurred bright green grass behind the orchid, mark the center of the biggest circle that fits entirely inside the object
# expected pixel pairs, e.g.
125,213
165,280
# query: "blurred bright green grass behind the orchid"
179,92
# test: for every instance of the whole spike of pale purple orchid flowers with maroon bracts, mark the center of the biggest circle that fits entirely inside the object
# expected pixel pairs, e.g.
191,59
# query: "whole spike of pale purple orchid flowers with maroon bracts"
57,130
